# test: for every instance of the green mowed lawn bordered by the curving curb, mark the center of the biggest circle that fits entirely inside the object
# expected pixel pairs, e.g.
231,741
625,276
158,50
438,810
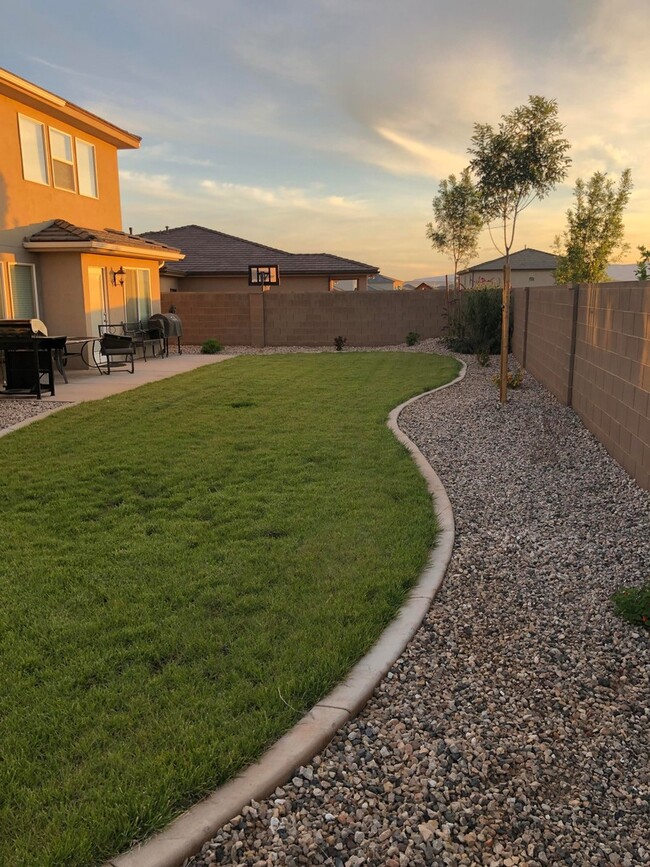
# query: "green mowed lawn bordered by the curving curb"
186,569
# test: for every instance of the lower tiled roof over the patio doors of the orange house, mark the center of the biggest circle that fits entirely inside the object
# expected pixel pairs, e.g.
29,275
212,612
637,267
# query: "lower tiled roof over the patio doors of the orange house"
63,236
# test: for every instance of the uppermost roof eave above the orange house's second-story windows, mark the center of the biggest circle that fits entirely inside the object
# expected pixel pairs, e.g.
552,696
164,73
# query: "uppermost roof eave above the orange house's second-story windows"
37,97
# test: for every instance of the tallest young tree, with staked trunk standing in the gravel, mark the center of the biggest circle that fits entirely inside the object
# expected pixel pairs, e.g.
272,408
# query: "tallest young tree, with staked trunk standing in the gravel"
524,159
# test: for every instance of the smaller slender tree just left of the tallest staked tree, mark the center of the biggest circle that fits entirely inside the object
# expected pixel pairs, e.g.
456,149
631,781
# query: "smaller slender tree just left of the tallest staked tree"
457,219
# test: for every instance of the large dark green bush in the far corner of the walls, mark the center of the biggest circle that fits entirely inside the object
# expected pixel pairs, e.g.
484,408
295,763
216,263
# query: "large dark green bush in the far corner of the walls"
474,324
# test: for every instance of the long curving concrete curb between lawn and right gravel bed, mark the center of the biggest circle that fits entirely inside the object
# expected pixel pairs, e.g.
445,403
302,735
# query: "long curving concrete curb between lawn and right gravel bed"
186,834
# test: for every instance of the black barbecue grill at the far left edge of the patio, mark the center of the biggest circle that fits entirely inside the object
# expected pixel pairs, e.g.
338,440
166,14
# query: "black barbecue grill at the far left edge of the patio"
27,352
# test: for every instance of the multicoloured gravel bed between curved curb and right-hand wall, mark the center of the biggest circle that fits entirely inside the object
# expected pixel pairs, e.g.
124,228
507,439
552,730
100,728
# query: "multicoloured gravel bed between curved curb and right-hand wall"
515,728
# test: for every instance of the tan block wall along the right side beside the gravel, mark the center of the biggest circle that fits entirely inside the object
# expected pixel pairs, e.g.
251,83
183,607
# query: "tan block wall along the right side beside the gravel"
611,376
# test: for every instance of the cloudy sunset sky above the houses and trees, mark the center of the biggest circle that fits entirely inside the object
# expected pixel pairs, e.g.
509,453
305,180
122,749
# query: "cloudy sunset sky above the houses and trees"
327,125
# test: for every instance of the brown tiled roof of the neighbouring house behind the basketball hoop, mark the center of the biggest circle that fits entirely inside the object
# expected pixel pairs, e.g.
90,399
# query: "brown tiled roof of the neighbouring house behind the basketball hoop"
208,251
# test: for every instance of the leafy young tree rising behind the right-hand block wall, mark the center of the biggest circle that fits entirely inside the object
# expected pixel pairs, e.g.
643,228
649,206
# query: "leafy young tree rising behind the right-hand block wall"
595,231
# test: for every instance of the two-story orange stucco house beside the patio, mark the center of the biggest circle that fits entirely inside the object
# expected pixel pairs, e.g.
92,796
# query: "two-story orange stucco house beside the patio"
63,256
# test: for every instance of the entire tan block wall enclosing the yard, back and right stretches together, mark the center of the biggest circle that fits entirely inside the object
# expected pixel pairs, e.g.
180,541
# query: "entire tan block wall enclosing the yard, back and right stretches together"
589,345
